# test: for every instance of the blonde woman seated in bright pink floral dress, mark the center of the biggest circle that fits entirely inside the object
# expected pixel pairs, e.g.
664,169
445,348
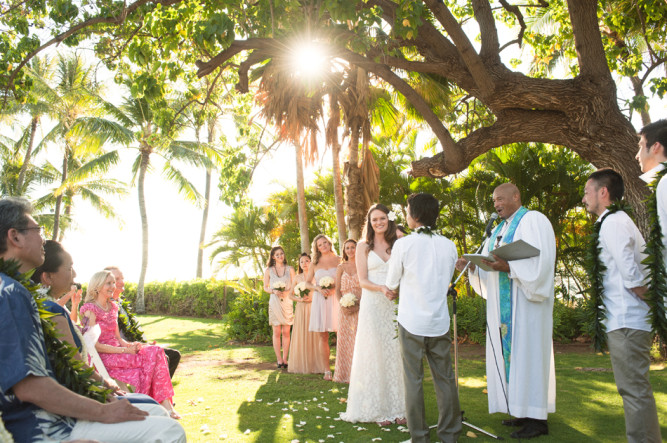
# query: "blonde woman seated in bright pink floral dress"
143,366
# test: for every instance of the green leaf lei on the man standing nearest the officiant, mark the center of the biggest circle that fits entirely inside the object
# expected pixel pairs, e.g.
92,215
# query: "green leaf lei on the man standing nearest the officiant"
594,304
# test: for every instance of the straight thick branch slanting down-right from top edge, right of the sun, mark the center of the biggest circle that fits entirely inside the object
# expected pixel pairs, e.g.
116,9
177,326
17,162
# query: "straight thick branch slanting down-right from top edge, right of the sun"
473,61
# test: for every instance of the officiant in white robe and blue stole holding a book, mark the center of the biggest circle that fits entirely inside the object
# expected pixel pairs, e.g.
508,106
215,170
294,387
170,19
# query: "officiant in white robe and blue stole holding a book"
519,310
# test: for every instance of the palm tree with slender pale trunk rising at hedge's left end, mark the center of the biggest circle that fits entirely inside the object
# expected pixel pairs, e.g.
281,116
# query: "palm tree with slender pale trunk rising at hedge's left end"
138,115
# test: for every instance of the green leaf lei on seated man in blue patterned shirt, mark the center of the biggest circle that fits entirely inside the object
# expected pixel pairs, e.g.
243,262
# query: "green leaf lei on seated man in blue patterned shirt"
68,371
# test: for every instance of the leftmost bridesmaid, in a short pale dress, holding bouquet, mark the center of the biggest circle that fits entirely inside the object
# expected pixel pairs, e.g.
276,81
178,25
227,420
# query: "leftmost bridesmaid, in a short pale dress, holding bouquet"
281,314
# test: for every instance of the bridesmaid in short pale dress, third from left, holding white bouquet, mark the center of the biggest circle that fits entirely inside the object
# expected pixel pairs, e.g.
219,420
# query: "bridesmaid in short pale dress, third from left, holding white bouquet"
324,312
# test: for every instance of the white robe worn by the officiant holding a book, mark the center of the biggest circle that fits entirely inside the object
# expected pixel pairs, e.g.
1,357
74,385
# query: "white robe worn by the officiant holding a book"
532,379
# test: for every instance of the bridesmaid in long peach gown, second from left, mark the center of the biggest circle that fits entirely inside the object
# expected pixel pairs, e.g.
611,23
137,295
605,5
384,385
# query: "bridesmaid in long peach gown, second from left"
304,349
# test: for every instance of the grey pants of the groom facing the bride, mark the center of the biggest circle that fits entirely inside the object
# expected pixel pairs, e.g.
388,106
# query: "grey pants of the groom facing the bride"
437,351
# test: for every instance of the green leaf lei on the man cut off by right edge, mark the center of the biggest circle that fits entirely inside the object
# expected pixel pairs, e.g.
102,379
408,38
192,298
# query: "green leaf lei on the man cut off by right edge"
655,262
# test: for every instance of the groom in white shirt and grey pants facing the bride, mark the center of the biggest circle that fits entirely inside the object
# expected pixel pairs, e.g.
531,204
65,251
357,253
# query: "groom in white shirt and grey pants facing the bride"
423,264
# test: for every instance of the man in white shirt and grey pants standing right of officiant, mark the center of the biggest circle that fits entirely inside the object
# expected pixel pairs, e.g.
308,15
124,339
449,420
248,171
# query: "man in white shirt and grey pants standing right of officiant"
626,314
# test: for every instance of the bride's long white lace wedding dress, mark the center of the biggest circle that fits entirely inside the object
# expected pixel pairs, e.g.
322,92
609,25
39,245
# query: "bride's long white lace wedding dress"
376,390
